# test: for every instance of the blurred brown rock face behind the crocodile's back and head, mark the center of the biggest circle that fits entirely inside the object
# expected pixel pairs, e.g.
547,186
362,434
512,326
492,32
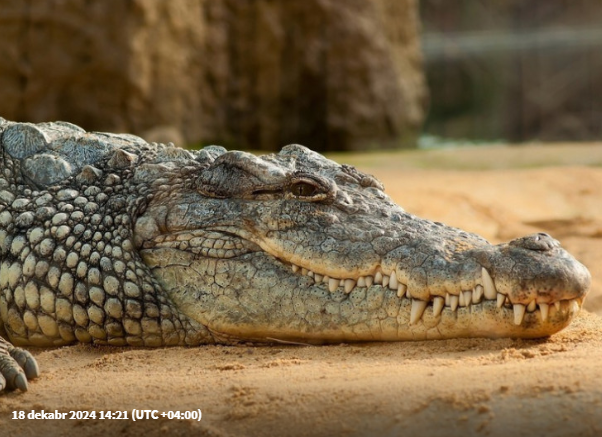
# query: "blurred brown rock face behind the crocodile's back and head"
250,73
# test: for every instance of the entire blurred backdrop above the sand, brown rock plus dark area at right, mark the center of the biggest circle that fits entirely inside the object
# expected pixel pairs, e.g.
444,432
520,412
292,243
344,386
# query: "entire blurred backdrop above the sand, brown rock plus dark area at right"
333,75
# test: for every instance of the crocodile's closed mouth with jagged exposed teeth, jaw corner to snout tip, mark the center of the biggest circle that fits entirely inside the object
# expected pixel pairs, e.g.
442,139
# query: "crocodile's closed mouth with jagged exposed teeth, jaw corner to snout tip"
542,315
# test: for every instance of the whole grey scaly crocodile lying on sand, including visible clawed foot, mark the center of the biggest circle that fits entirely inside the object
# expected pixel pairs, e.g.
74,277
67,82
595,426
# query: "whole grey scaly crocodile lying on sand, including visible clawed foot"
108,239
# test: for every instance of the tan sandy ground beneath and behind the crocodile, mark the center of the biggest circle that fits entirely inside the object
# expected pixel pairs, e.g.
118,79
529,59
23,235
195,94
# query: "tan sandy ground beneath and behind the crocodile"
462,387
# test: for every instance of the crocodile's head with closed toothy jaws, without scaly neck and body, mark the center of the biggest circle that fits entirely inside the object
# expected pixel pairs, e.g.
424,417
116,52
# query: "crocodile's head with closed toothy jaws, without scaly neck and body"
296,247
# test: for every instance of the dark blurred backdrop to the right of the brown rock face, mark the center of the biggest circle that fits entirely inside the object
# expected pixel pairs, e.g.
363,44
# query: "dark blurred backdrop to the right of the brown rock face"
518,70
